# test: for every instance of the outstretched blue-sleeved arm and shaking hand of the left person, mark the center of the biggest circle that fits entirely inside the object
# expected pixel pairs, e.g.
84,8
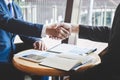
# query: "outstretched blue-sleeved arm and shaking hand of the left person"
18,26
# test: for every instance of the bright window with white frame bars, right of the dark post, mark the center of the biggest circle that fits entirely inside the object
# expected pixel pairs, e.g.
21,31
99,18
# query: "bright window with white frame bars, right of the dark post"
97,12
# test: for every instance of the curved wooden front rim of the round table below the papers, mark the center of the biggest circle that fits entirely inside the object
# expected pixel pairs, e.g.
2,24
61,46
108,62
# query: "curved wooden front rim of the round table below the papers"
36,69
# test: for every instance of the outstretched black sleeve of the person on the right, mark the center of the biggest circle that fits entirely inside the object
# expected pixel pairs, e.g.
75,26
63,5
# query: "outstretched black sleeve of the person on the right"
95,33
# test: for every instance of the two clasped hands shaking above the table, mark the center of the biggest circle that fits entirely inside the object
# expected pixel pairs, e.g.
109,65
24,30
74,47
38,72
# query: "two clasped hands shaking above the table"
57,31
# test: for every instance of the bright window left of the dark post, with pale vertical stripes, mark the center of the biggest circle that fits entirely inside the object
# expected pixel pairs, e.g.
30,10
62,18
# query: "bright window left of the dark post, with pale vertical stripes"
43,11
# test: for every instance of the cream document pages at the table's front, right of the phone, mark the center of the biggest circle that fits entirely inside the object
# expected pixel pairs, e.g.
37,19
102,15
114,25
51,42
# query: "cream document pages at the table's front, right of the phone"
65,63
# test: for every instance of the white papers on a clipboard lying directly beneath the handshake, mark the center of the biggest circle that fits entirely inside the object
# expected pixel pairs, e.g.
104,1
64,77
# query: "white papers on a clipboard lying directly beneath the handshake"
72,49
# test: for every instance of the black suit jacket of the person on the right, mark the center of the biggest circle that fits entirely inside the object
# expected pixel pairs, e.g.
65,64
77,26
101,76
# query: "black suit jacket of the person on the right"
109,69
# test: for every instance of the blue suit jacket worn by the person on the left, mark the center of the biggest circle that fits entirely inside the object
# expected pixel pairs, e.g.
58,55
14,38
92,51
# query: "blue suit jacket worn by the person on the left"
16,25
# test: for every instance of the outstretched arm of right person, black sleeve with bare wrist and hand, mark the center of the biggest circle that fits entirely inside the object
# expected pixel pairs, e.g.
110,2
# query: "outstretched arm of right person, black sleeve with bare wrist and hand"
95,33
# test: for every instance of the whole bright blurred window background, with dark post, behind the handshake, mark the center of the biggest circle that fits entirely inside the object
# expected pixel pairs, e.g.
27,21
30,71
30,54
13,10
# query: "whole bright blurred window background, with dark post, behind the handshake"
88,12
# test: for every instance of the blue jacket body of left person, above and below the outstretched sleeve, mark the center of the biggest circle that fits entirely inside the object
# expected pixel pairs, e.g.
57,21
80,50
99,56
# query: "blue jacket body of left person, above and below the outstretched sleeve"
7,38
